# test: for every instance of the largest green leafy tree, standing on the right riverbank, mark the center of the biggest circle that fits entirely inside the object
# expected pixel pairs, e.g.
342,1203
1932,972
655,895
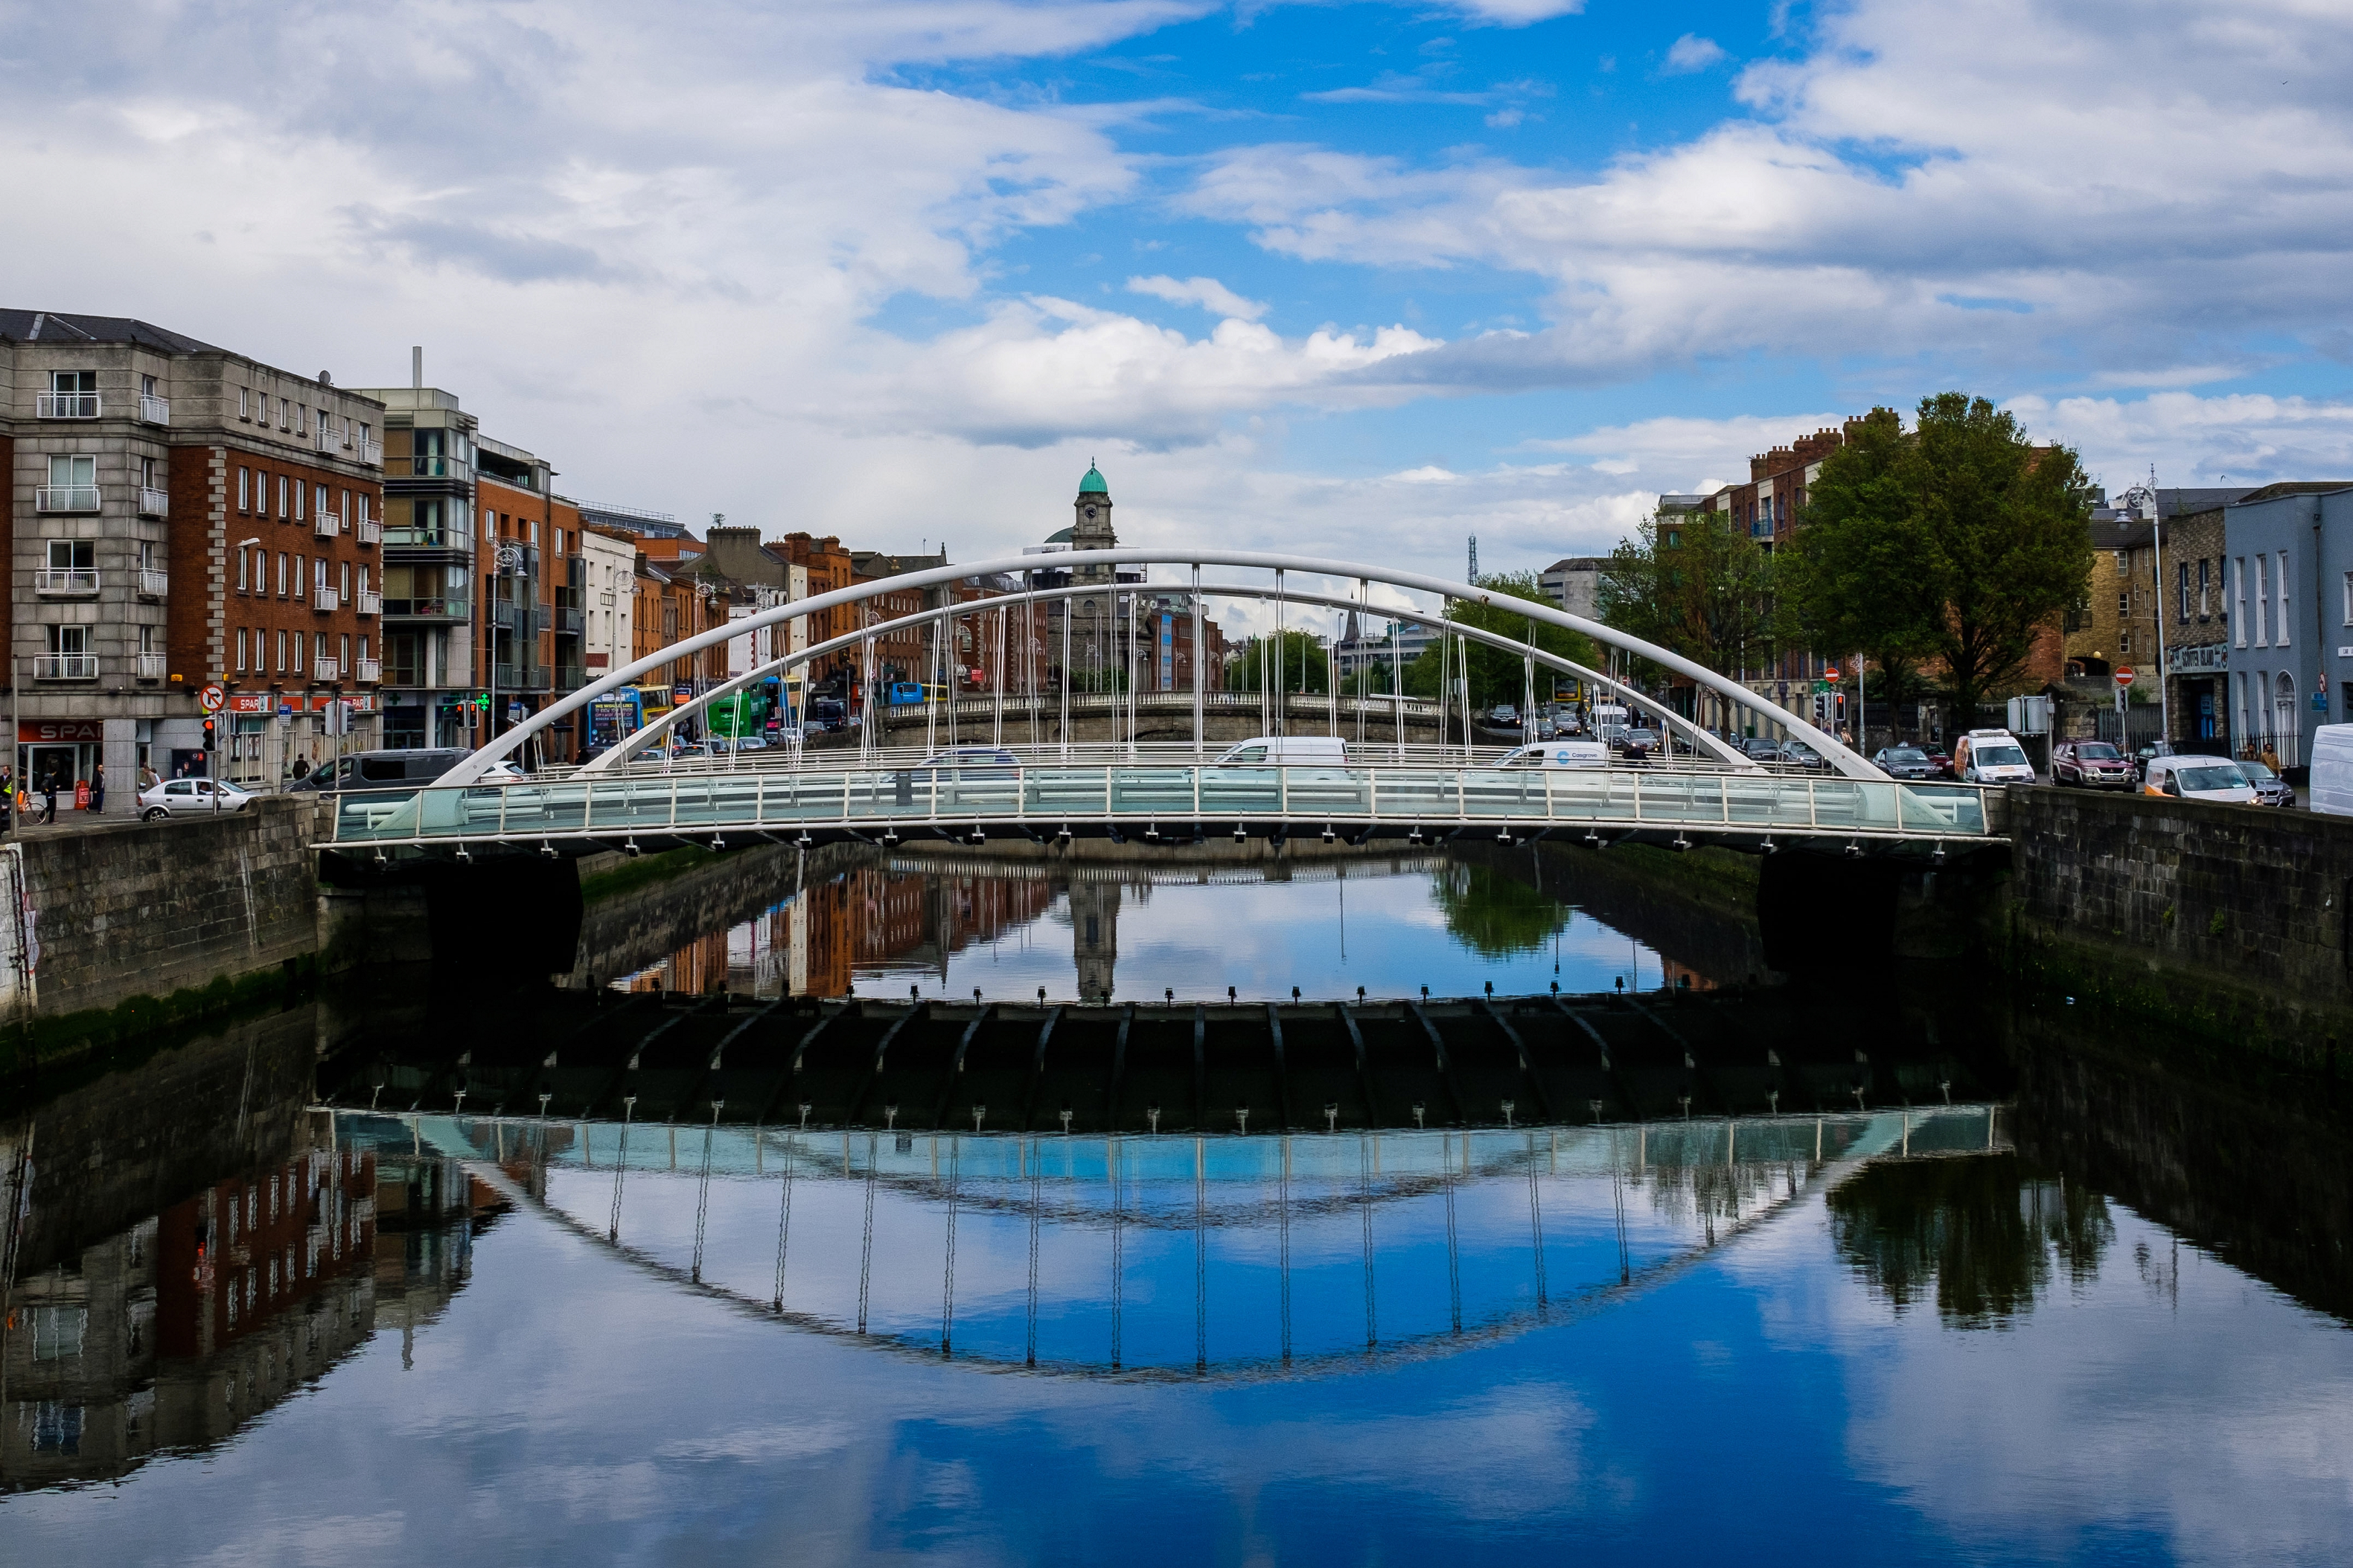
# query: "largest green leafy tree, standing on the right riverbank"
1952,549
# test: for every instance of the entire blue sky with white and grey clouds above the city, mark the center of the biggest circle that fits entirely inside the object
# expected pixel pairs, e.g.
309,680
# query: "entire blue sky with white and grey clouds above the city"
1354,279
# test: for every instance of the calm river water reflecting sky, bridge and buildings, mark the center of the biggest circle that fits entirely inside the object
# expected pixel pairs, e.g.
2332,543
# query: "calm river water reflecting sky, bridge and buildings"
2095,1320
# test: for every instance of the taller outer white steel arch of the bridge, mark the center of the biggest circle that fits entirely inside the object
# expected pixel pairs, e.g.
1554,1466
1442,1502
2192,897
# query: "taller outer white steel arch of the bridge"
479,763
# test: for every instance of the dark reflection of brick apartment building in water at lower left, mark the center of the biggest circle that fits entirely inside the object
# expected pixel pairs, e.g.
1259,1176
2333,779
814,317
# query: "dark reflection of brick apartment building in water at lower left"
185,1327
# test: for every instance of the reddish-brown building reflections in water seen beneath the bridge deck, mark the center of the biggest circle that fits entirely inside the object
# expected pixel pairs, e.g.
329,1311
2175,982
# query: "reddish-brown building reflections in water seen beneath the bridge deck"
865,920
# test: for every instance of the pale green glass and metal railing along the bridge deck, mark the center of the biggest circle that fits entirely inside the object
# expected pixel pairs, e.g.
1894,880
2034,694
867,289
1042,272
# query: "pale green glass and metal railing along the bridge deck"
1156,793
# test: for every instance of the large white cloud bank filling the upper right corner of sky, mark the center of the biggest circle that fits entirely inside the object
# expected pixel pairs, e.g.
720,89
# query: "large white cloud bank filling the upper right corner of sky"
1895,192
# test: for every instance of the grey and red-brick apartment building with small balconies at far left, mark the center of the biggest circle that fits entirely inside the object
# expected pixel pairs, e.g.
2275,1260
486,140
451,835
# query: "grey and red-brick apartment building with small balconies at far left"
180,516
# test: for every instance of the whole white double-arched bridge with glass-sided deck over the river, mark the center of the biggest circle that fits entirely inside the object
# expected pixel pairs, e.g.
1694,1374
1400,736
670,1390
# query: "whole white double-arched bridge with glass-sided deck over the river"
636,796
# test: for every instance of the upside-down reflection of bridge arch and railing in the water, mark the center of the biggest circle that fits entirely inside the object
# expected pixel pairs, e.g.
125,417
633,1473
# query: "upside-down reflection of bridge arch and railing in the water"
1166,1257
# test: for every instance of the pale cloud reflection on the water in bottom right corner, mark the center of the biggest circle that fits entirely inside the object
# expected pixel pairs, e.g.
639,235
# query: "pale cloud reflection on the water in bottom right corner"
2218,1423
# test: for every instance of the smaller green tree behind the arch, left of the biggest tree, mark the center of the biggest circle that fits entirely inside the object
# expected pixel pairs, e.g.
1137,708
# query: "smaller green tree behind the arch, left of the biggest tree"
1698,587
